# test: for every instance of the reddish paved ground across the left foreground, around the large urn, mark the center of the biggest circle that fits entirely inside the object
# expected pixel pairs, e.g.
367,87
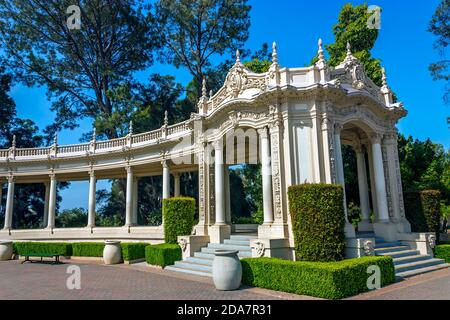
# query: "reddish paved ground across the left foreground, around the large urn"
46,281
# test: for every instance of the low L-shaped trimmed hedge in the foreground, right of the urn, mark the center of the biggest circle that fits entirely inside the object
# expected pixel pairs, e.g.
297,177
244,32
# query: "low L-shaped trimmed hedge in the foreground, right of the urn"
330,280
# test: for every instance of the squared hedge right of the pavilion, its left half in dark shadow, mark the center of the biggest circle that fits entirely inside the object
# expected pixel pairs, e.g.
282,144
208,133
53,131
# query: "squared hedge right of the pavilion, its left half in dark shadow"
423,210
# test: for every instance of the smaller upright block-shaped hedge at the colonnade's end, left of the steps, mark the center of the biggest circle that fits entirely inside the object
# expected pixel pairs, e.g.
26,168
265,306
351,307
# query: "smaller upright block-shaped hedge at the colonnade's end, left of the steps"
178,216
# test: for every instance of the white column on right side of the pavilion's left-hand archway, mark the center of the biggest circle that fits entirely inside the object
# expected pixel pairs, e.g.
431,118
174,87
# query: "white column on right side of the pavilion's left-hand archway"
266,176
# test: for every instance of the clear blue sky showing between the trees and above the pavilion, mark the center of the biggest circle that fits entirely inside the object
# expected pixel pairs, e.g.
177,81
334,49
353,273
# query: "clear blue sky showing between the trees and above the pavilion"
404,46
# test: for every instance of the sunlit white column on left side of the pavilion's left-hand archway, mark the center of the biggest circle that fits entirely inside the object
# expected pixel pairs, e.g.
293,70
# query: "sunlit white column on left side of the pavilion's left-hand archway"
219,183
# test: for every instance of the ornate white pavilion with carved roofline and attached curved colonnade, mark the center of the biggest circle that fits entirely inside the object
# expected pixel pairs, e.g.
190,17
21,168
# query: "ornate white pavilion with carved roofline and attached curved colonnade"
293,120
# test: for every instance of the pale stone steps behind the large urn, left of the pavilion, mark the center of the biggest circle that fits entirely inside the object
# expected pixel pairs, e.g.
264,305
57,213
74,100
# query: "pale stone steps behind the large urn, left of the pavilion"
201,263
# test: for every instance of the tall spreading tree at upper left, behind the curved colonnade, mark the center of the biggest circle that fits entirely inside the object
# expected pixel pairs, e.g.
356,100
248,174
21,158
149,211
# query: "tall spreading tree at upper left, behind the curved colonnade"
79,67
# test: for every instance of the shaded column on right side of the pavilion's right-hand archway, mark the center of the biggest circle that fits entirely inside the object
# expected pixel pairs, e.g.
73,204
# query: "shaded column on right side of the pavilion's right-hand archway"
380,182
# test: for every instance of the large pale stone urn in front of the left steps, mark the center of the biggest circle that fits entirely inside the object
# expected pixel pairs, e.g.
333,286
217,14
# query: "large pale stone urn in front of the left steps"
227,270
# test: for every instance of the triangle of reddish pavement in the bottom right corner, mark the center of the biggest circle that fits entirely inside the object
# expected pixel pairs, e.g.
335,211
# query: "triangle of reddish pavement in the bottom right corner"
429,286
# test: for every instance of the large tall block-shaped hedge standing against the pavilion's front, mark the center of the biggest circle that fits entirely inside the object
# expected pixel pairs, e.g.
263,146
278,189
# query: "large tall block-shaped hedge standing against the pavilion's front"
318,221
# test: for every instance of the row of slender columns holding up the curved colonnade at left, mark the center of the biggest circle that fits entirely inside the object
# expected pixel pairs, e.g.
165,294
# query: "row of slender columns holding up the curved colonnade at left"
51,189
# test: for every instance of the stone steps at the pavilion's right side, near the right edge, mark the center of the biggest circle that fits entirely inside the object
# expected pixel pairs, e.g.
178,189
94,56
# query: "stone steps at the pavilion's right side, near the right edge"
407,262
